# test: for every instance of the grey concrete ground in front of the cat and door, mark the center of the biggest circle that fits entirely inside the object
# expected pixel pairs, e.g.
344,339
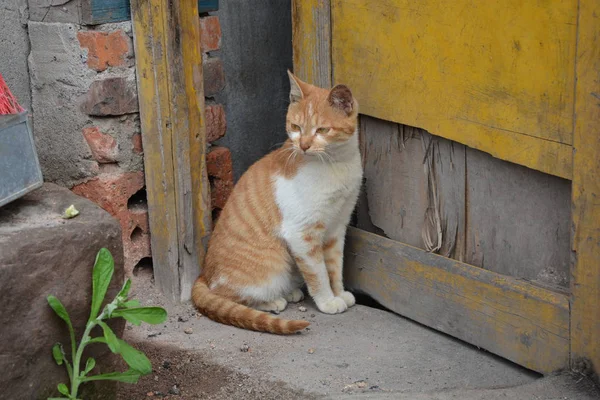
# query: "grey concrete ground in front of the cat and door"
364,353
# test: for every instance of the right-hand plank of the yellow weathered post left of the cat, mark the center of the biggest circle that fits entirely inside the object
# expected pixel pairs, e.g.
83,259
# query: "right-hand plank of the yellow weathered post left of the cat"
187,110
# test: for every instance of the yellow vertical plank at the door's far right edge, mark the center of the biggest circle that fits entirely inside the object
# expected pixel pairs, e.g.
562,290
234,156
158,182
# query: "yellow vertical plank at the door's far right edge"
585,283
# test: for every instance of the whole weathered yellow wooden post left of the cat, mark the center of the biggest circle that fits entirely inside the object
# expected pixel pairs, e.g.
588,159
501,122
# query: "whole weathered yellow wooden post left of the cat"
170,84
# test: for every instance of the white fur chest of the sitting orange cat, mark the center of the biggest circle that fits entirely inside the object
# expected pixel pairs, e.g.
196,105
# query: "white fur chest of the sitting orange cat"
319,192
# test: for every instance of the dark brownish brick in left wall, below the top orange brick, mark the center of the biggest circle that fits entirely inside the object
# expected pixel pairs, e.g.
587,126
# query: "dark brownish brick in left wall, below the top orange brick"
111,96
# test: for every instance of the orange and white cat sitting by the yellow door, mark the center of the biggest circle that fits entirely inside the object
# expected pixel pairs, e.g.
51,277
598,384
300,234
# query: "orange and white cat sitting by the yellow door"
285,221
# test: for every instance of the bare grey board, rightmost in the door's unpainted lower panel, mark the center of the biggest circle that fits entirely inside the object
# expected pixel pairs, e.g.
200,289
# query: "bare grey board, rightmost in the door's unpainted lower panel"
518,220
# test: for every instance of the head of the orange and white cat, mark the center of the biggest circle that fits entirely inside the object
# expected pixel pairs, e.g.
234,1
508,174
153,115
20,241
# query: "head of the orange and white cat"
320,119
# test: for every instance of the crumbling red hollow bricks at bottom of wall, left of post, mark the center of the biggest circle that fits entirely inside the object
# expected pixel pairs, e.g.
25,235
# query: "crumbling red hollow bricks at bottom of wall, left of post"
115,192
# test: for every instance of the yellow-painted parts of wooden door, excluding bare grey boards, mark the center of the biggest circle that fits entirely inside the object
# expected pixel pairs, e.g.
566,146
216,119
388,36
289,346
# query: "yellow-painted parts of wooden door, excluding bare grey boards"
518,80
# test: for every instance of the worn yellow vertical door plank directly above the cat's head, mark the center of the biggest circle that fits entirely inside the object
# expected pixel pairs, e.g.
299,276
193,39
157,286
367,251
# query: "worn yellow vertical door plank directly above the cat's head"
311,41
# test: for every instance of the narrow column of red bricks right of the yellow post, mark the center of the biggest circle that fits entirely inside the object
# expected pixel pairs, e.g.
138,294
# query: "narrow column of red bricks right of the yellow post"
218,159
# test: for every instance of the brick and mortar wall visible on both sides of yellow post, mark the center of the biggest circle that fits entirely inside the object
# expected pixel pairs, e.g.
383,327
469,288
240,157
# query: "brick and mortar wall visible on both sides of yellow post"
86,121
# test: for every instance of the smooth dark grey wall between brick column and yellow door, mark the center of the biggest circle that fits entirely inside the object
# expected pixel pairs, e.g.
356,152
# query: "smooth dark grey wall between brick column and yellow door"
256,51
